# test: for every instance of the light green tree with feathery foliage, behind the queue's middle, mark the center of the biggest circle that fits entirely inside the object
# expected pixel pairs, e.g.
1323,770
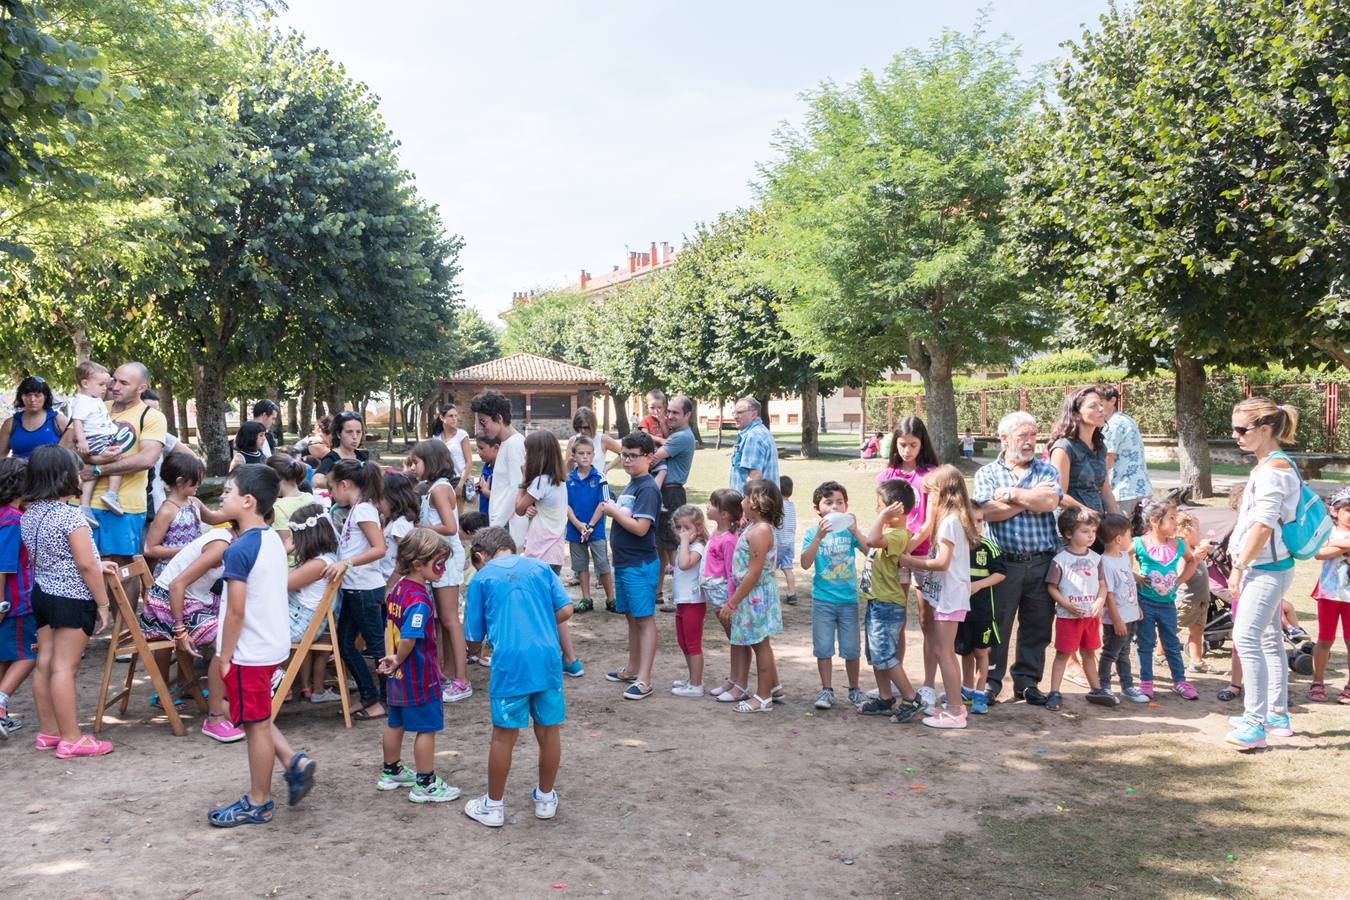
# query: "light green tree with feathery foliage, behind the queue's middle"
888,221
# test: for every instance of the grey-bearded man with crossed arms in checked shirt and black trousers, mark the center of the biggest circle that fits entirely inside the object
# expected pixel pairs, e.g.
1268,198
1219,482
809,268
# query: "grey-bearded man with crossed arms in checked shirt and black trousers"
1019,495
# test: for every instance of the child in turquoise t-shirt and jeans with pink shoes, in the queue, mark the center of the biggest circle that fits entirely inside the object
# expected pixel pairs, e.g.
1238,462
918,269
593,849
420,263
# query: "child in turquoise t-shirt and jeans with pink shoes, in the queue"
1164,562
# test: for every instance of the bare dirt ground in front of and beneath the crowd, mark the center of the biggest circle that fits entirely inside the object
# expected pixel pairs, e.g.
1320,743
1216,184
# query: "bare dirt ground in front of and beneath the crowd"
685,798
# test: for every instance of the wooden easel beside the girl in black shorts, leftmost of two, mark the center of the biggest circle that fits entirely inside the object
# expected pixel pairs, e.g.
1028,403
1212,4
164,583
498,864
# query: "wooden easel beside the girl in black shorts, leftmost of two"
128,639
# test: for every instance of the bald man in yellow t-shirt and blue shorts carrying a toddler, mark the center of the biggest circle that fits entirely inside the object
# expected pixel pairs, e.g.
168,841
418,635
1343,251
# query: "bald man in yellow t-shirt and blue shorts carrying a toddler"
141,438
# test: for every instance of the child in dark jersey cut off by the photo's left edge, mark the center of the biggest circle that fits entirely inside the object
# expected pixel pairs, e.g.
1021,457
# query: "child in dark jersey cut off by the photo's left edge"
18,632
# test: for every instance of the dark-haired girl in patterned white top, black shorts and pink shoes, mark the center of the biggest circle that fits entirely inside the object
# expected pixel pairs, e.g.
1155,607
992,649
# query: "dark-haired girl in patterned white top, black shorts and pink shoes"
70,598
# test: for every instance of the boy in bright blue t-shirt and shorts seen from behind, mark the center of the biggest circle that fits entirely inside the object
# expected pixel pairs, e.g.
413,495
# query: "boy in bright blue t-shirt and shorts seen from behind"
519,605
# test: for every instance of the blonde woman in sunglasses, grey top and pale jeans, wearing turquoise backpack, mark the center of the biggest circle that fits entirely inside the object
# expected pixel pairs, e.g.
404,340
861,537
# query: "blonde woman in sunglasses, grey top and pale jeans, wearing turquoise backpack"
1263,570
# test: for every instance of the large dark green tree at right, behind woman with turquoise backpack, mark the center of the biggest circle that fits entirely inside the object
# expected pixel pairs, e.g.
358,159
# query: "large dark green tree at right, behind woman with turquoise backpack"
1182,199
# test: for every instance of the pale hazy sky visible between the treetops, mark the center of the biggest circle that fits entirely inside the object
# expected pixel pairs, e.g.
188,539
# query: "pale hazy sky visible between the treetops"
556,136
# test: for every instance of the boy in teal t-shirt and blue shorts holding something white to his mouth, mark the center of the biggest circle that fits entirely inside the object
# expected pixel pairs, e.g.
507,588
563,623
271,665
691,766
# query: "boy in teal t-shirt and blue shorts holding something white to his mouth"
828,551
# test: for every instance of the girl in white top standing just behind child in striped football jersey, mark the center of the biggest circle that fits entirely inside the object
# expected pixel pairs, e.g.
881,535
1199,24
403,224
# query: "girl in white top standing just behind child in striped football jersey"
434,469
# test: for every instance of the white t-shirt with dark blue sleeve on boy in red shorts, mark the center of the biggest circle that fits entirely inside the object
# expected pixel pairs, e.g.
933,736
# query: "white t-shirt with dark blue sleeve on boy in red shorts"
259,559
